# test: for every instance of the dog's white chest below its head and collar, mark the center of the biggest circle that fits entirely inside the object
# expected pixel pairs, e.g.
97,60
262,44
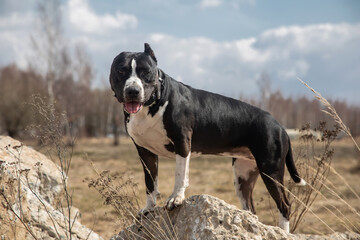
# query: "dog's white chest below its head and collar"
148,131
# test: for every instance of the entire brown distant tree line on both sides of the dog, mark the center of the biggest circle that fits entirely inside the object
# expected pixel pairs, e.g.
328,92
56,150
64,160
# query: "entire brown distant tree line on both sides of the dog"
94,112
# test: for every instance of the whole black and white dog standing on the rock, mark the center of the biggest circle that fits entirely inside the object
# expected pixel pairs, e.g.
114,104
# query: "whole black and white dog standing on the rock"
168,118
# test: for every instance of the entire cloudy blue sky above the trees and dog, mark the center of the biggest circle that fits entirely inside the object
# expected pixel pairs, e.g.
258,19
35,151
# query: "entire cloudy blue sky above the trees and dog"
222,46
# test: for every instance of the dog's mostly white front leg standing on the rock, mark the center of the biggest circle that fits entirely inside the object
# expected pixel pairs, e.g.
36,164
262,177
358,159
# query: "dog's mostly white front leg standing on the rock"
181,182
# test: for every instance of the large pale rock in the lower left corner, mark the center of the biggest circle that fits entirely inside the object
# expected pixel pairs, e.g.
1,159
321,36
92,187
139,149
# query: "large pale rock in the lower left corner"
29,174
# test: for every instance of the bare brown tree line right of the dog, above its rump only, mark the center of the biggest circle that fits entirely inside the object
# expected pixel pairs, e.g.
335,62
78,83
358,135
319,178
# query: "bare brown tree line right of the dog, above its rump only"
294,112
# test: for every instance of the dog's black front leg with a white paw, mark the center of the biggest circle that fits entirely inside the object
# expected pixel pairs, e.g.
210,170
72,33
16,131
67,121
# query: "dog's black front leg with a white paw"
150,164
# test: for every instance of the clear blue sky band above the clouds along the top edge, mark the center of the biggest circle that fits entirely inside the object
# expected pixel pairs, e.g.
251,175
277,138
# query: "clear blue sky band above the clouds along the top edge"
230,19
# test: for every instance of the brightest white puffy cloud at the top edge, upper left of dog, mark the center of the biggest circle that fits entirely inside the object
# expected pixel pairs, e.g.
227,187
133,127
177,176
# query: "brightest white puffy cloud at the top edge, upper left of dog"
85,20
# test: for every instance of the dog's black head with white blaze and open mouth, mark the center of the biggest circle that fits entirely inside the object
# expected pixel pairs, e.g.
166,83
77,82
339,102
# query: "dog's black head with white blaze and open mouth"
134,78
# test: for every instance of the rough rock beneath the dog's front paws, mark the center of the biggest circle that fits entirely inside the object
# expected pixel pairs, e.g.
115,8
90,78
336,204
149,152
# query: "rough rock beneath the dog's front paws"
207,217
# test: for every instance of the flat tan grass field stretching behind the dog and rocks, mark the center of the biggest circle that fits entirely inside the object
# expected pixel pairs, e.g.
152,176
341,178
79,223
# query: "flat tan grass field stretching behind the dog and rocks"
208,175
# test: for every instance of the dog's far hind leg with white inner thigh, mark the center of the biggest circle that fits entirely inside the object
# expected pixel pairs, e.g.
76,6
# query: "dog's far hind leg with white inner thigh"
245,176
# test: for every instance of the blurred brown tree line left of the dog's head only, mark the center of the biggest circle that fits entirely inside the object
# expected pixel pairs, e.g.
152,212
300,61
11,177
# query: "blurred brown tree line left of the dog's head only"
89,112
